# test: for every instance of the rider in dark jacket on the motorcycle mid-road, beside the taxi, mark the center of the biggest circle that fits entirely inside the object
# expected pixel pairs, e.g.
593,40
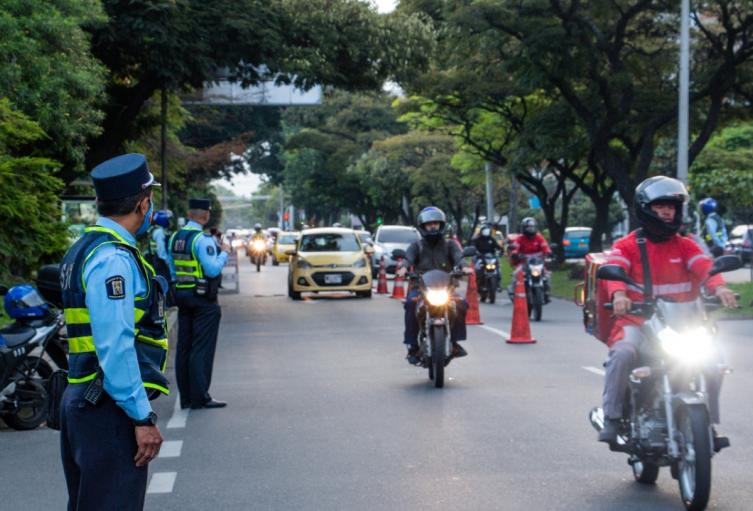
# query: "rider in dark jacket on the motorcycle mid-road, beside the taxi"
432,252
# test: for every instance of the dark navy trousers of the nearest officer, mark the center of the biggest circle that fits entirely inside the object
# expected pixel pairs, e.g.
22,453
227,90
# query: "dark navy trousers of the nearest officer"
98,445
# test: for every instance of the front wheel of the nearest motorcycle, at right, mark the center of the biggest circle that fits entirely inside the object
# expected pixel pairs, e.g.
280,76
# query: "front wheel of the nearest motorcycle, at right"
694,470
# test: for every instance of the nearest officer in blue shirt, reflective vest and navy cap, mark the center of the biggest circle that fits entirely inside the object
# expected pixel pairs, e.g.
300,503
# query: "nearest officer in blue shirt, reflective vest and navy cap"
114,311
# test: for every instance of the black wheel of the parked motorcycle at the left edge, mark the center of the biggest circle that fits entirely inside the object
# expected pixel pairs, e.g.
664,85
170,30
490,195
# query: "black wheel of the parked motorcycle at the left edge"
31,395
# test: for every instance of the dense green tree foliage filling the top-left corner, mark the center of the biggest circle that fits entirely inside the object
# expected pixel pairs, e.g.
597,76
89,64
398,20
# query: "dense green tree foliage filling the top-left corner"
49,73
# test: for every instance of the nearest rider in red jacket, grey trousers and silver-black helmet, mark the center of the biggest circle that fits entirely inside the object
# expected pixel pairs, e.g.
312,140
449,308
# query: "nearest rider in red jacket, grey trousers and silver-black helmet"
677,266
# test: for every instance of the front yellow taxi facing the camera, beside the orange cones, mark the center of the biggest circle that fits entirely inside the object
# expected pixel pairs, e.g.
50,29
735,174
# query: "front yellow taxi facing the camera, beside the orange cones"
329,259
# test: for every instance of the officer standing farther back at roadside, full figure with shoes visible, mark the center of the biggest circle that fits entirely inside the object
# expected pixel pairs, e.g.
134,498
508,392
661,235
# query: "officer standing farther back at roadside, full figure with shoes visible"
198,263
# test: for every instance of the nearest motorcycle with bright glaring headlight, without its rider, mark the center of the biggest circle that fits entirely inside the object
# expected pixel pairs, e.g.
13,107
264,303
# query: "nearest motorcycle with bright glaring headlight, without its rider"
666,415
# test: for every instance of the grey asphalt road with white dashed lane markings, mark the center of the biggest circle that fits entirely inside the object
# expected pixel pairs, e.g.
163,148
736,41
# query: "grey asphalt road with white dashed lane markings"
325,414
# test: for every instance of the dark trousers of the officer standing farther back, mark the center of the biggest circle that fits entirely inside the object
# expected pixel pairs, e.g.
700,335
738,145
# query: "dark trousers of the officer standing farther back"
198,325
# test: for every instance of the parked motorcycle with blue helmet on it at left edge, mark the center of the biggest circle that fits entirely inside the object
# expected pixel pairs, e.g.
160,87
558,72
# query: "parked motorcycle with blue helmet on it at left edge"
25,372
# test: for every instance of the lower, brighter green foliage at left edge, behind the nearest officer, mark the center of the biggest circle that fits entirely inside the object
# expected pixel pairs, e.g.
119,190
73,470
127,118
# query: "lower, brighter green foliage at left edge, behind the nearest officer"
32,232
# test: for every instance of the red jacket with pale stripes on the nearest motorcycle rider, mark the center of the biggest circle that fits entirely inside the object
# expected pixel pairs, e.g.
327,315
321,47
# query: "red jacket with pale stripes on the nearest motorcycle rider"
678,266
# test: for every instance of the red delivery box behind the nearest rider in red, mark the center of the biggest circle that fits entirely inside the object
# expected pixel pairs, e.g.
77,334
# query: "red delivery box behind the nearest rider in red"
592,295
